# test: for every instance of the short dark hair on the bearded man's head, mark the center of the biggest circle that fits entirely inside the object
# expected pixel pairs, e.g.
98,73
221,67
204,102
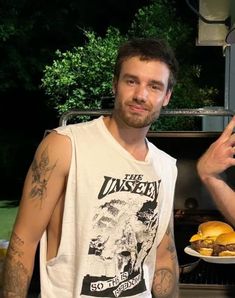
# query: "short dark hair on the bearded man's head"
148,49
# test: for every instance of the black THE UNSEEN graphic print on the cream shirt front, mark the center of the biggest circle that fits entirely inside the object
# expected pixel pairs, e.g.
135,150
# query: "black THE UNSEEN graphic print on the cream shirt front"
123,231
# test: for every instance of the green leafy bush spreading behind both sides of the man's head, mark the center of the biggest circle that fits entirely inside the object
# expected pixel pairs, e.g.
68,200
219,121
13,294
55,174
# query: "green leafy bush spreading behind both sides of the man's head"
81,77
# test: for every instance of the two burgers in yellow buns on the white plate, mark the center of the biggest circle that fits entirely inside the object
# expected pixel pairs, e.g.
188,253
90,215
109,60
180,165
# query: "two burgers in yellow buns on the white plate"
214,238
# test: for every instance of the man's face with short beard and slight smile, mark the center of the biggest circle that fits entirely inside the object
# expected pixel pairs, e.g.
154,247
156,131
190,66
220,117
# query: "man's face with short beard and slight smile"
141,91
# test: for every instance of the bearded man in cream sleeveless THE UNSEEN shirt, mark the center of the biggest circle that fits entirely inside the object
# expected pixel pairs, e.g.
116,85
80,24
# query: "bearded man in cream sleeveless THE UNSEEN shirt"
99,196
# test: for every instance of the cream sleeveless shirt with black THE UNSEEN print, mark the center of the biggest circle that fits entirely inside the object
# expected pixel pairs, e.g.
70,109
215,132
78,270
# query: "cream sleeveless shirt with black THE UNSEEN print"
116,212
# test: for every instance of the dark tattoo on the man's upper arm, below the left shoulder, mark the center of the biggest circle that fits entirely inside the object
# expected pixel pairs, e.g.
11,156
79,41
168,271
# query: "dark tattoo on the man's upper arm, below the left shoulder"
41,172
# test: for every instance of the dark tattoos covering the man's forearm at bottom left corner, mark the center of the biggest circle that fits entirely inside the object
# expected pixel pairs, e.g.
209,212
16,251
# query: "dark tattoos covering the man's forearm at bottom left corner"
16,277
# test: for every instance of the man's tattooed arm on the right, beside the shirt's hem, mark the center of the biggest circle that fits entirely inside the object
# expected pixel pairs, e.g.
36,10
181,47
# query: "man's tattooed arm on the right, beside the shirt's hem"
165,283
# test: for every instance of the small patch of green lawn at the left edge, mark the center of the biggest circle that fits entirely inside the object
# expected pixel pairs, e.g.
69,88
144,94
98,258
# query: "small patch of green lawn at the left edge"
8,210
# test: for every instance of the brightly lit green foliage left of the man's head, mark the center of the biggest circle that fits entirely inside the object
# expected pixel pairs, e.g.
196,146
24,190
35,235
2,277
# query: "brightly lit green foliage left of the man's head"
81,77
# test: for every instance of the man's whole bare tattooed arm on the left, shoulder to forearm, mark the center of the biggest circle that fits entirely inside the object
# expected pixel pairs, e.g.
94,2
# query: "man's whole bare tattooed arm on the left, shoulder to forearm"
41,198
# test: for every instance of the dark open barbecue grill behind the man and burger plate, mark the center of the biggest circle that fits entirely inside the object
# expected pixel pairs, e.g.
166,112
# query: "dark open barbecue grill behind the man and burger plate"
193,205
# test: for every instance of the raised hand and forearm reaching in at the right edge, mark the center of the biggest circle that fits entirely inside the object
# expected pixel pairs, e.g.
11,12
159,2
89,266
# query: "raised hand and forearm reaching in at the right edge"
218,158
